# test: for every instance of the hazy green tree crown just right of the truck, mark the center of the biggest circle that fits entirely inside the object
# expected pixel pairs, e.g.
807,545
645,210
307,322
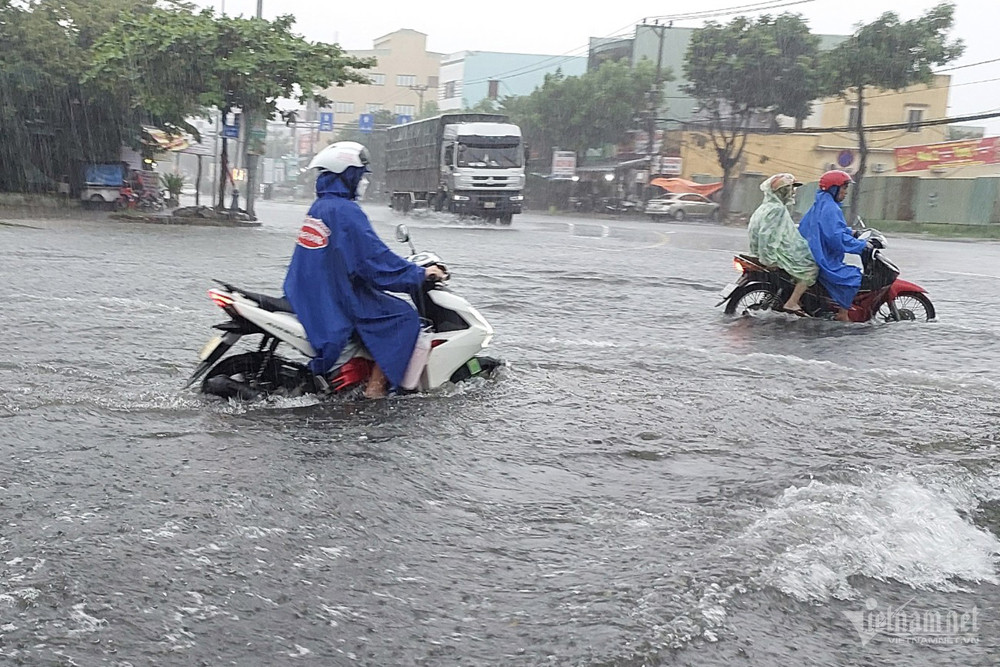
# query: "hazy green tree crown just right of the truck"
581,112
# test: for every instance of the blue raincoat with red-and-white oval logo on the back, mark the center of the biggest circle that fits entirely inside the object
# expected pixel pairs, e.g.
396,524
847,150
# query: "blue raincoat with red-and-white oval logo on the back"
337,283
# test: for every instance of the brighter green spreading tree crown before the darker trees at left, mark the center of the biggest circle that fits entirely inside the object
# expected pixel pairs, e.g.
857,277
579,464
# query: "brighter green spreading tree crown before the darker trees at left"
173,63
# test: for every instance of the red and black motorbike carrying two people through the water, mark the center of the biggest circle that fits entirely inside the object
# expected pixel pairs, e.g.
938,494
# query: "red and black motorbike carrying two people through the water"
883,296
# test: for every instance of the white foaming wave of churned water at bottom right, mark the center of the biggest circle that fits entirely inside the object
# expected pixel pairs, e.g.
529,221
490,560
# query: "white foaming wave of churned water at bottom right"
886,527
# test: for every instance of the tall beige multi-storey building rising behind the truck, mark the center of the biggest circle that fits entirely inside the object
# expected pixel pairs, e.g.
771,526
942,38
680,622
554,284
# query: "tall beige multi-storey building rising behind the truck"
404,78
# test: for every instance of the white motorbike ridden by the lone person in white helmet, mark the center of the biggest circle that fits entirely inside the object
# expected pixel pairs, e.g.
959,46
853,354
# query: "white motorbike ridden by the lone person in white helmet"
453,333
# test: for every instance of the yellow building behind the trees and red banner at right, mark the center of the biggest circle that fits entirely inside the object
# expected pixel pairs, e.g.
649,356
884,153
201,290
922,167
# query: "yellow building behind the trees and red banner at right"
807,154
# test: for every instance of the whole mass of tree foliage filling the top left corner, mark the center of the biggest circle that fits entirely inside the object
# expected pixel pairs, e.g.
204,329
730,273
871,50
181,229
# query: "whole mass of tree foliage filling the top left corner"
79,78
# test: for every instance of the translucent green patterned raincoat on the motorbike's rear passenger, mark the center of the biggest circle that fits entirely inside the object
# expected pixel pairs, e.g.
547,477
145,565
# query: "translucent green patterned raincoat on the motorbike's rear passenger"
776,241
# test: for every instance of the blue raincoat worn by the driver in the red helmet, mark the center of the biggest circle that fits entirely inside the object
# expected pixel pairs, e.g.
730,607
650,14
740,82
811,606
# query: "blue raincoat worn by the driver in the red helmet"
829,238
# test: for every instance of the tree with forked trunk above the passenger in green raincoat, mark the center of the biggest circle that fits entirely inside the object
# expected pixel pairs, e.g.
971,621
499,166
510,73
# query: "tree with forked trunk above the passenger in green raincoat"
746,68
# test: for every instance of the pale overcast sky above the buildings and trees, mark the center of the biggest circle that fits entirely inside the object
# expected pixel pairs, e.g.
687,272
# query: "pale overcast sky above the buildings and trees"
558,28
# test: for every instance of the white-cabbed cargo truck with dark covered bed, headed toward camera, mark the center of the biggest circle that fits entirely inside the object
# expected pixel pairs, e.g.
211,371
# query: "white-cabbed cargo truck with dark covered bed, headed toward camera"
466,163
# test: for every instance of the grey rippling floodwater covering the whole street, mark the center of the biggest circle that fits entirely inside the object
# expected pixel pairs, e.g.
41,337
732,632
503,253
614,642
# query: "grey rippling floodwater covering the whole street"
648,482
